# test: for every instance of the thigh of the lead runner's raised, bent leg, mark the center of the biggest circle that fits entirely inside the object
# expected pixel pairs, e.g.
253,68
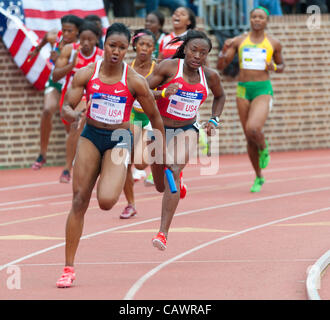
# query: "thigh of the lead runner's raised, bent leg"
113,172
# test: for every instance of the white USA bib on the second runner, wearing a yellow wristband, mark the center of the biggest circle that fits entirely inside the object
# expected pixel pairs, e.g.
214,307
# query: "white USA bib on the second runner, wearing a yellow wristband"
185,104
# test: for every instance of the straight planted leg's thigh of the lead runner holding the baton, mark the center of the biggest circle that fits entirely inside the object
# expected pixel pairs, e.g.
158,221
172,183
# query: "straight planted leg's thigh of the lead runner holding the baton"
86,166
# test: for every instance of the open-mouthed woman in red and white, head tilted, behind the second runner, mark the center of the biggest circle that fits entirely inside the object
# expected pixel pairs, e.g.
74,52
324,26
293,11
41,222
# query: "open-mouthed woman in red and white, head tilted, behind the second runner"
183,19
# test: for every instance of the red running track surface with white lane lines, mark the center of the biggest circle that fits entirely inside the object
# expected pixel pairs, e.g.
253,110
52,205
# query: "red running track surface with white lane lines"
224,243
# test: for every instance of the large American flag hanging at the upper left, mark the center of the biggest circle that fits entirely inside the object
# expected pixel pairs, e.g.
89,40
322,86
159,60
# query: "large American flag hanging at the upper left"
24,22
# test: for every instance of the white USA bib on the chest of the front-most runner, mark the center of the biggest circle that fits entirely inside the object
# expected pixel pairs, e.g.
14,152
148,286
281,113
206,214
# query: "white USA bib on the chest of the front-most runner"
107,108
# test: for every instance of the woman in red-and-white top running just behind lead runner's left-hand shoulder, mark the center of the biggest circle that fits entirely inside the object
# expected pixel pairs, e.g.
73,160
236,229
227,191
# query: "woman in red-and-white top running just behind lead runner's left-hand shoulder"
74,57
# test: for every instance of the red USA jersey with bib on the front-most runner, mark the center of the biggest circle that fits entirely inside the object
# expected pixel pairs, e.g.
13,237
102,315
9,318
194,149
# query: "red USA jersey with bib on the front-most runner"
111,103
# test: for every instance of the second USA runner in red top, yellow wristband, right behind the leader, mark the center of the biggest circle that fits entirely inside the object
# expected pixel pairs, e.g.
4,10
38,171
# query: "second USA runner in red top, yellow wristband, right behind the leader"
182,86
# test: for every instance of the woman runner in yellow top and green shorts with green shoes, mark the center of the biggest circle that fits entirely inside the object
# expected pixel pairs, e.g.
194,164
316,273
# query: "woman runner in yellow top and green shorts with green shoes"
259,53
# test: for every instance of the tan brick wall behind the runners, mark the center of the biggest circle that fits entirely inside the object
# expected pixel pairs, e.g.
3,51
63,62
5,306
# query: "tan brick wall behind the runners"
299,119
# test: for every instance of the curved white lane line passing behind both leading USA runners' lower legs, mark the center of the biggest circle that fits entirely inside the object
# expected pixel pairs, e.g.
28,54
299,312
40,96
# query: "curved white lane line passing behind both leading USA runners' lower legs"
94,234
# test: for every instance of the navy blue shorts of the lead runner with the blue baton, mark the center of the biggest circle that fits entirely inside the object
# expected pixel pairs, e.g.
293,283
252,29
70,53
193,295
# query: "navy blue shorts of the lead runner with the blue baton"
104,139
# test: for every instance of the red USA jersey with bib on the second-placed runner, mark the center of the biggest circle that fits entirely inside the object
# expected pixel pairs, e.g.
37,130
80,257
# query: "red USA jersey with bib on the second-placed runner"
185,103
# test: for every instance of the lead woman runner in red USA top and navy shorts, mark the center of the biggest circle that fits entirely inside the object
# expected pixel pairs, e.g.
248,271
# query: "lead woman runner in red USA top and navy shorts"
104,147
